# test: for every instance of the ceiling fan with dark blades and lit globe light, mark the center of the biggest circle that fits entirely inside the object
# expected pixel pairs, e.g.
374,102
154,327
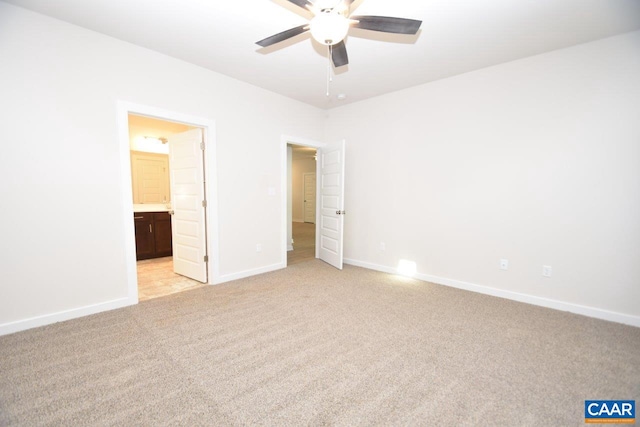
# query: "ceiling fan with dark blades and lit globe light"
331,22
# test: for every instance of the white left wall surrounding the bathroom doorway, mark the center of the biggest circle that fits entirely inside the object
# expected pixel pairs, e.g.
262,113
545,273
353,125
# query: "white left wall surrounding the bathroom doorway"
62,209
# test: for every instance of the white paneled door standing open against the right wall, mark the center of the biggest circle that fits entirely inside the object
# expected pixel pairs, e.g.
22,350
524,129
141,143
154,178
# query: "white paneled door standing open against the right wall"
331,203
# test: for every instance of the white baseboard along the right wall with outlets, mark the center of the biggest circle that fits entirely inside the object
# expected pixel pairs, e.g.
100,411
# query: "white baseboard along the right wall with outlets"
597,313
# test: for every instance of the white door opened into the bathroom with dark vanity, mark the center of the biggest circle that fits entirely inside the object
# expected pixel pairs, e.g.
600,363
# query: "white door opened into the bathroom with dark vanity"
188,204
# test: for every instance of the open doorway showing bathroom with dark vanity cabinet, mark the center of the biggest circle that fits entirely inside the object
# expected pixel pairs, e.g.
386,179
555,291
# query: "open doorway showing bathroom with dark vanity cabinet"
153,206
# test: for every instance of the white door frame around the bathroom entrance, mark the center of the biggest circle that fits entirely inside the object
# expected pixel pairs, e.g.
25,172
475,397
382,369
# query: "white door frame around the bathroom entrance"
210,173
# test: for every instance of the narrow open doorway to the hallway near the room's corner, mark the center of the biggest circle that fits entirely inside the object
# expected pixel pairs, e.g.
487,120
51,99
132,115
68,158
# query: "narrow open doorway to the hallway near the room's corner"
303,204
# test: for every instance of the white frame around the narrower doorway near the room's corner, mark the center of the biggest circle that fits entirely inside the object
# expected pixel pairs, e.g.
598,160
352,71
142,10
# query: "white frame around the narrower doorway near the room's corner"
295,140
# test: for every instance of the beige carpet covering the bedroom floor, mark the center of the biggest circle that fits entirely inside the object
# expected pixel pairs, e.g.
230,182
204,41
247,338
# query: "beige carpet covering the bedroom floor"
310,345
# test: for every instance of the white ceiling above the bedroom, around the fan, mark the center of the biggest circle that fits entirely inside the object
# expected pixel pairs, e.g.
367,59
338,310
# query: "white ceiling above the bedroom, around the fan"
457,36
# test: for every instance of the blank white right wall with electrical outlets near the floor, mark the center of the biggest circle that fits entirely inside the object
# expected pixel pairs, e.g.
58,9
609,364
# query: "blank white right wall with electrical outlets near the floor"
536,161
